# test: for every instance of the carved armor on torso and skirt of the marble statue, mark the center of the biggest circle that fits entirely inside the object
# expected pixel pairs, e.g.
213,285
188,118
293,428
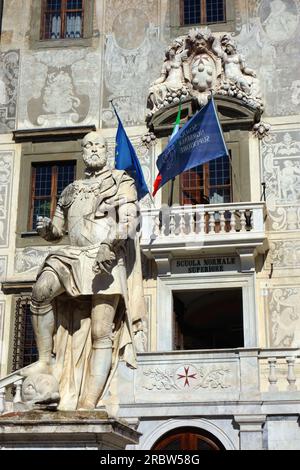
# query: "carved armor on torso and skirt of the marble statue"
84,204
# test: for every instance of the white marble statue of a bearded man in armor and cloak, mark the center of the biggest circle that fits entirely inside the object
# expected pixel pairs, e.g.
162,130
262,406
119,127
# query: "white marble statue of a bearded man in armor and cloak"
100,213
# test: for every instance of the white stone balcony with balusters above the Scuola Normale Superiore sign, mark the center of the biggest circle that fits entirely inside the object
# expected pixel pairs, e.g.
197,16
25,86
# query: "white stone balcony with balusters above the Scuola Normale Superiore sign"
214,227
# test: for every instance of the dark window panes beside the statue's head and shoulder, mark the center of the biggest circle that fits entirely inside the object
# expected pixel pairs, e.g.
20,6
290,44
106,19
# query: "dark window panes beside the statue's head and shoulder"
47,182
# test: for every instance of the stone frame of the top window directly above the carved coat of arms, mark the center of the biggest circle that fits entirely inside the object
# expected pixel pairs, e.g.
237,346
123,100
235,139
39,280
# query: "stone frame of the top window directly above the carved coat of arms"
177,29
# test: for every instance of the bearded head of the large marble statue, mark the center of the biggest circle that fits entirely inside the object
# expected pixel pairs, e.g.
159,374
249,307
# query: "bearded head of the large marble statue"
94,151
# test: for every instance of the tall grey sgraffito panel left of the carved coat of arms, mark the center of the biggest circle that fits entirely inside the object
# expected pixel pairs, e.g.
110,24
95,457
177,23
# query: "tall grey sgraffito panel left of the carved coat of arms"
133,53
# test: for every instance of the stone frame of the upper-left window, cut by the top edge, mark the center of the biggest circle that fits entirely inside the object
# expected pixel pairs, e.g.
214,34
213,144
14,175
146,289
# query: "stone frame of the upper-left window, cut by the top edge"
35,28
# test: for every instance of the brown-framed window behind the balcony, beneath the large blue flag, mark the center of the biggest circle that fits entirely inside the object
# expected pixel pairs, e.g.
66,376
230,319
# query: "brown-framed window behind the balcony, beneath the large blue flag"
208,183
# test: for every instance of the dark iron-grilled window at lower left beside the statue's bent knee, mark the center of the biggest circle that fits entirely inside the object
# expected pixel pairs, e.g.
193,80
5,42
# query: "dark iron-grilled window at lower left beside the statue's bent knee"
25,350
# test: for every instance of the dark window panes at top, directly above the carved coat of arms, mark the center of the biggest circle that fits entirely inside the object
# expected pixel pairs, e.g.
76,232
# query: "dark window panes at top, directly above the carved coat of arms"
202,11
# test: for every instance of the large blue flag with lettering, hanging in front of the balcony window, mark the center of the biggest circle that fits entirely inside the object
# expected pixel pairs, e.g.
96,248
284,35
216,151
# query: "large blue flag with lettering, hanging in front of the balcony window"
198,141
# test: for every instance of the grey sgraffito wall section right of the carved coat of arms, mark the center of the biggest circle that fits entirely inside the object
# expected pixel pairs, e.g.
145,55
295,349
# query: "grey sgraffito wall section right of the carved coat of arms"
268,33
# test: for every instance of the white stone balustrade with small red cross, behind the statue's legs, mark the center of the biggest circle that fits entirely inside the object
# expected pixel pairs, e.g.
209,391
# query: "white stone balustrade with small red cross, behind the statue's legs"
195,376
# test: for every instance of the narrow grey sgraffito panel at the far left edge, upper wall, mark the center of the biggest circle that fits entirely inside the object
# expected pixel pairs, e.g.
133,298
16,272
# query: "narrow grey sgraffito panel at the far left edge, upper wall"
9,79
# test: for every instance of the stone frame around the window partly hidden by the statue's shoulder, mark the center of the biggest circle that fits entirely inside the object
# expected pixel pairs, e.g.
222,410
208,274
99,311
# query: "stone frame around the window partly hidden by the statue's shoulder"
41,152
